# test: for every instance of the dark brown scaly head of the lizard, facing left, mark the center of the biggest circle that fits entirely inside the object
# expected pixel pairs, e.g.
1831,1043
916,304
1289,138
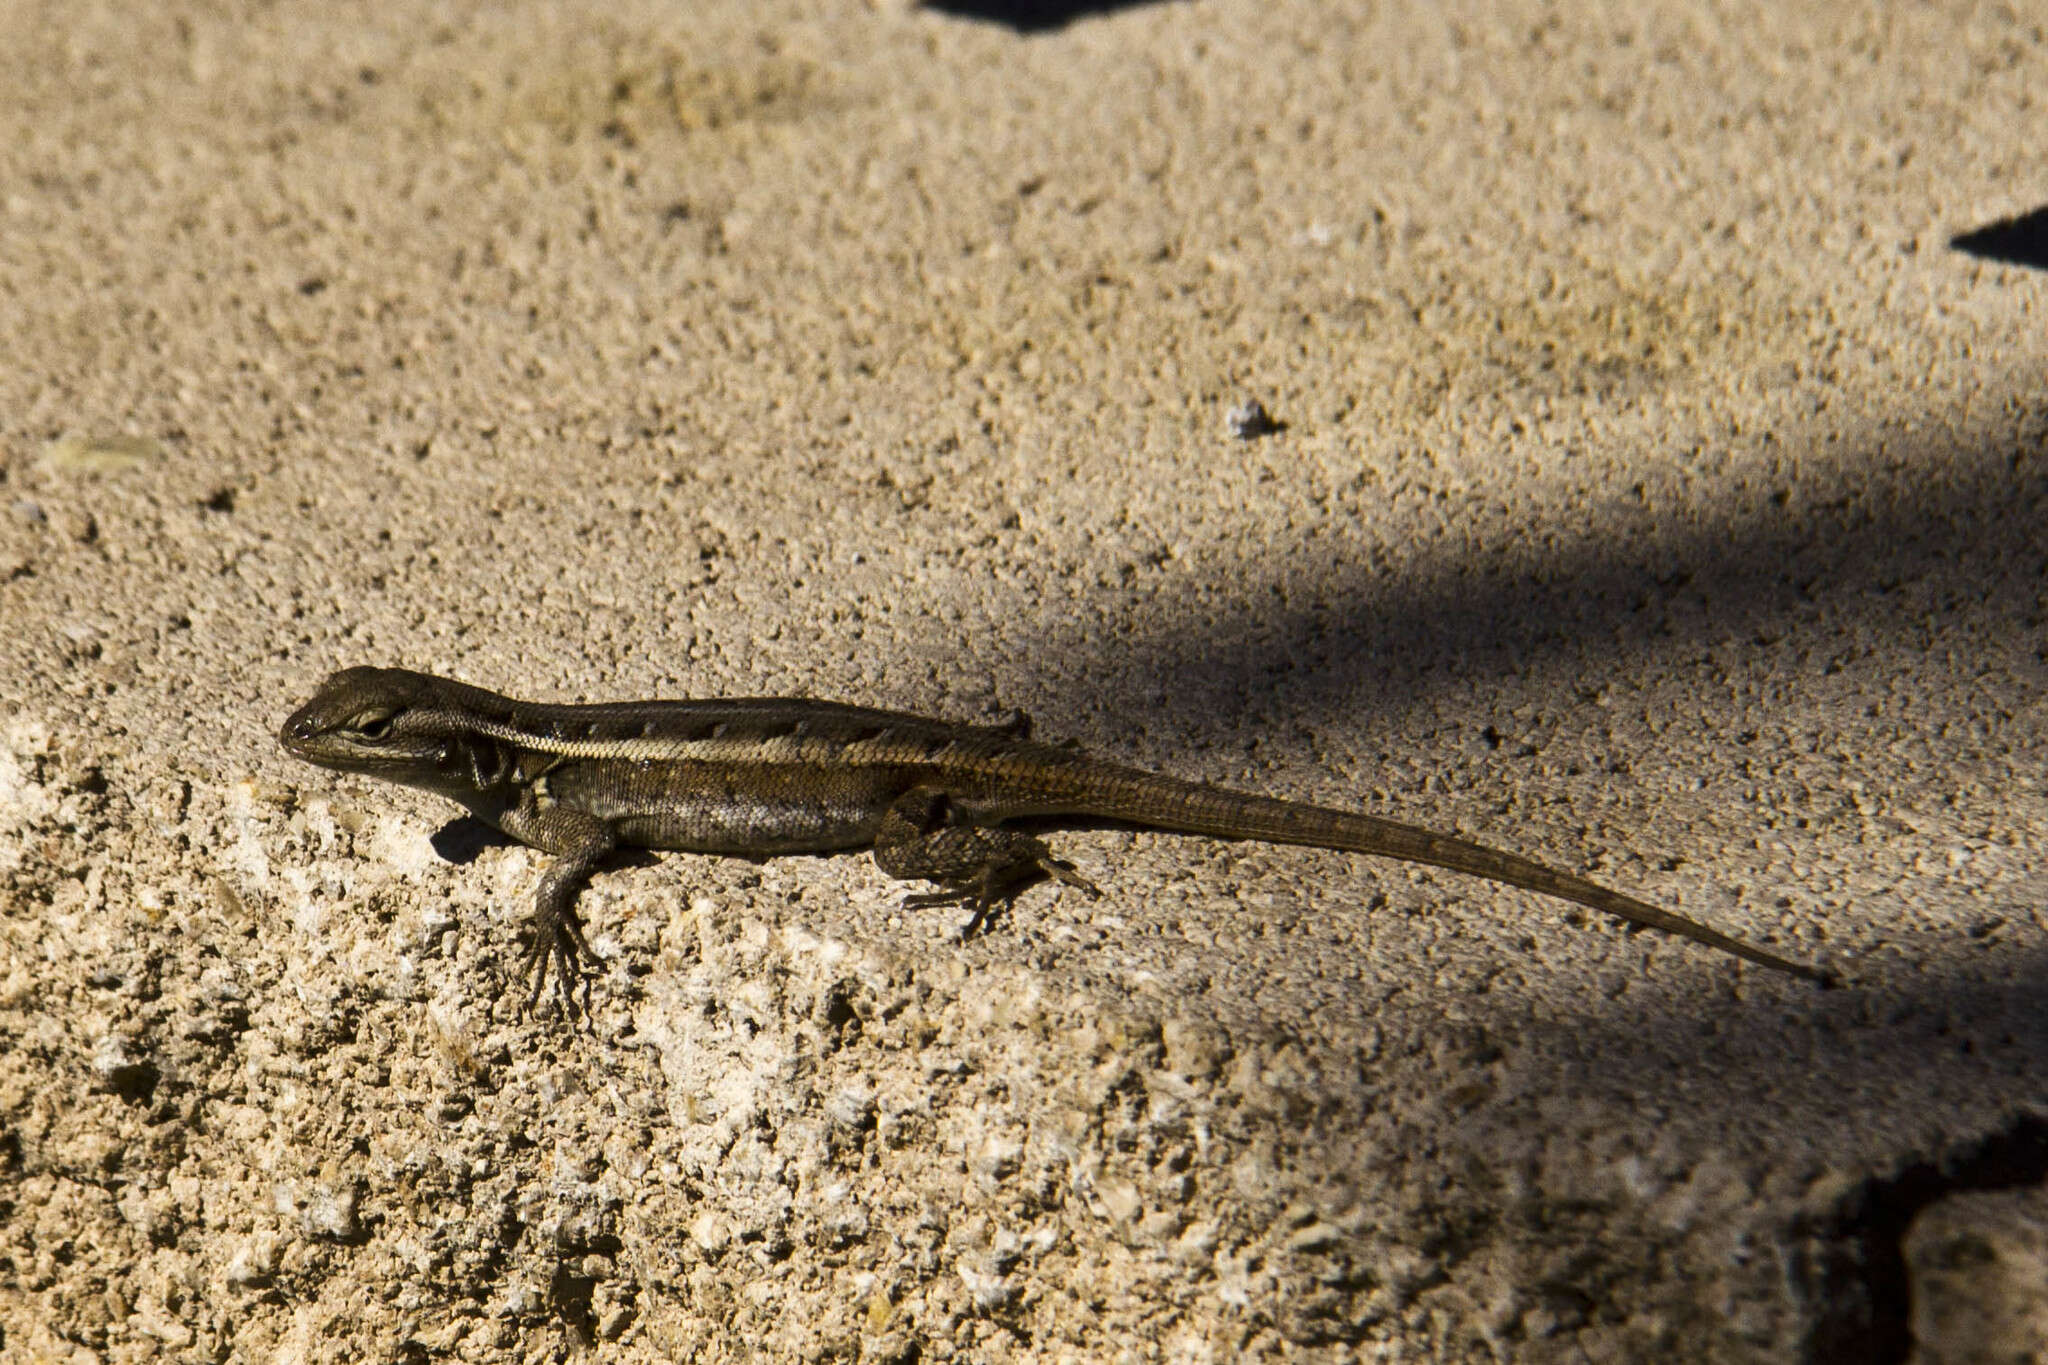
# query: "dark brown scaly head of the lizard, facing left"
386,723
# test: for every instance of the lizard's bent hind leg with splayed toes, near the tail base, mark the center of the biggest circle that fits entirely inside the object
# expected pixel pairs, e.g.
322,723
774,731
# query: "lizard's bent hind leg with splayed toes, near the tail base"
978,865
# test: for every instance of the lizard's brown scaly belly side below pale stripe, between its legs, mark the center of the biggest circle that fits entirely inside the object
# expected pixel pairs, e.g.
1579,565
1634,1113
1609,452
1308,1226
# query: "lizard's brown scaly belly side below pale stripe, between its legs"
749,809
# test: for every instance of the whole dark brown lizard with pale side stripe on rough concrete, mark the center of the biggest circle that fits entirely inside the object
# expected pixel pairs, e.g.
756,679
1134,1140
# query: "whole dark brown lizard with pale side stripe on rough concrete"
763,777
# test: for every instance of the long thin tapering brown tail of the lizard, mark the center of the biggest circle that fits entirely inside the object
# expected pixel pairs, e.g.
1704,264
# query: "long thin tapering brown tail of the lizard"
1185,807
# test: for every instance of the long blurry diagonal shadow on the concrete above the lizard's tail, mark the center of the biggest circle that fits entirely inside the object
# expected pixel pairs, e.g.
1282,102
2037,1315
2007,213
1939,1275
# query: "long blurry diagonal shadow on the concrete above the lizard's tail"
1922,537
